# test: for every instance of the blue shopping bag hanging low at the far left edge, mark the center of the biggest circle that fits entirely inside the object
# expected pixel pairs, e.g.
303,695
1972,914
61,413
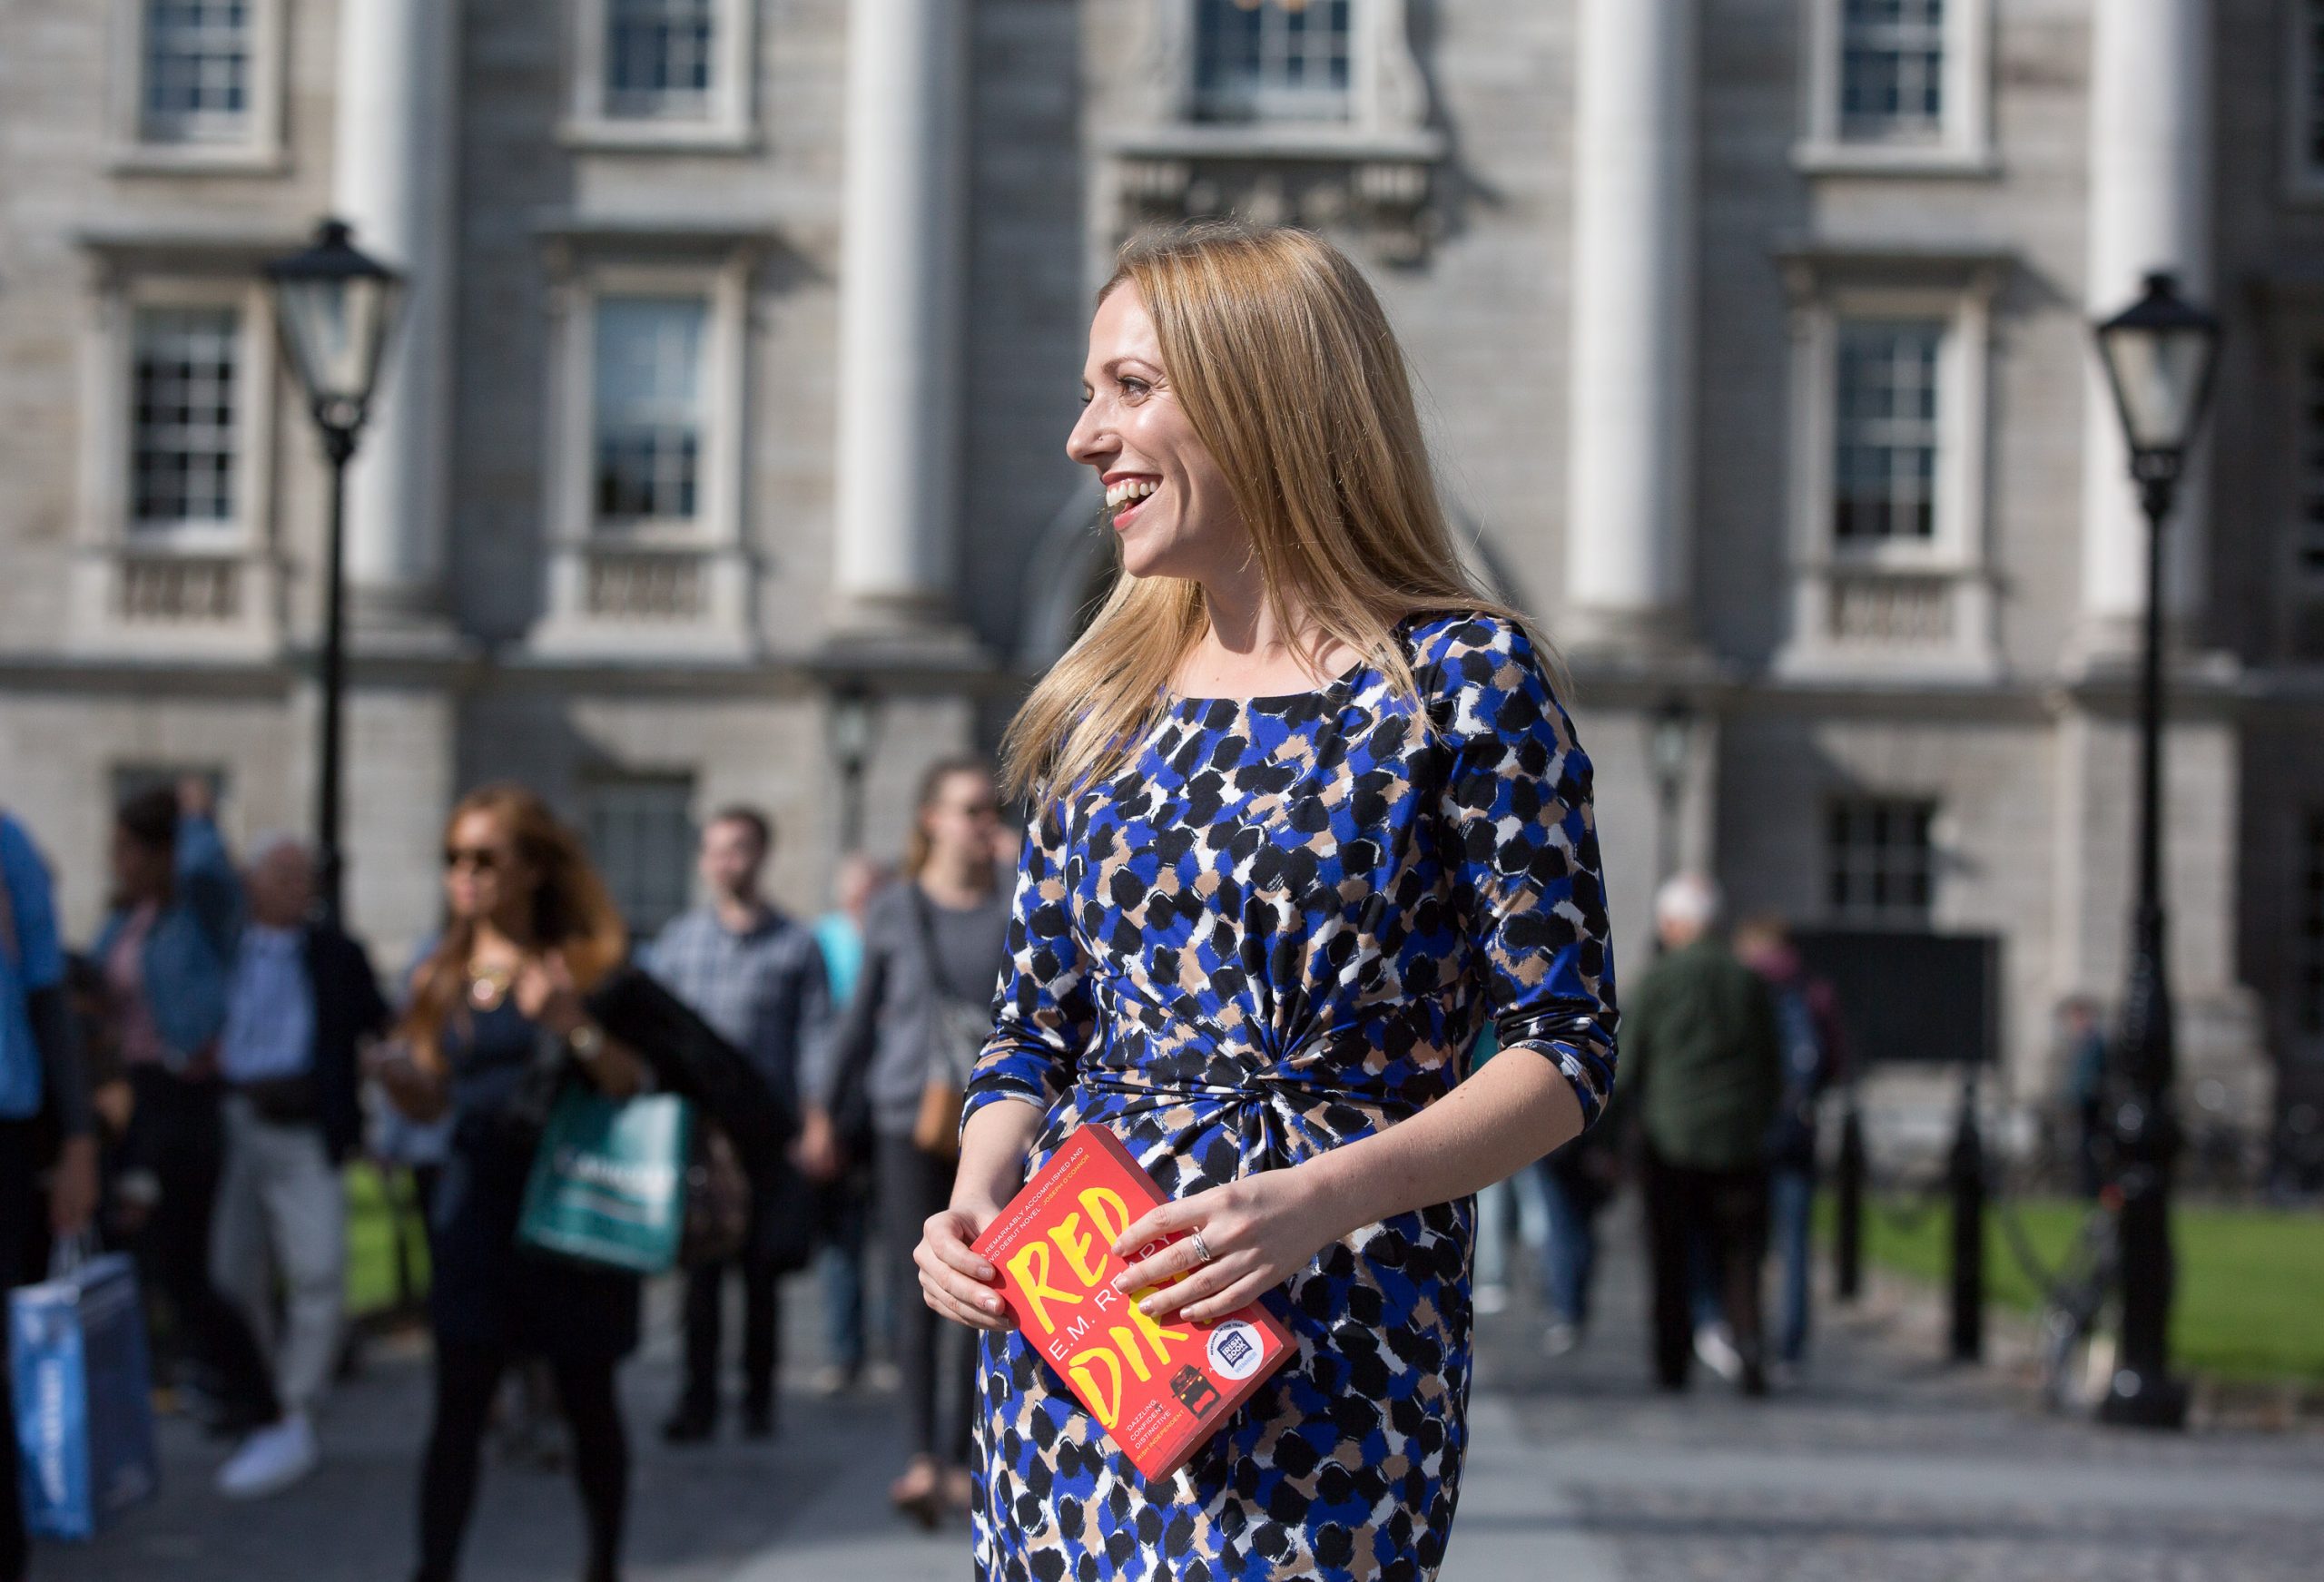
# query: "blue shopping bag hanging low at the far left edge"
85,1414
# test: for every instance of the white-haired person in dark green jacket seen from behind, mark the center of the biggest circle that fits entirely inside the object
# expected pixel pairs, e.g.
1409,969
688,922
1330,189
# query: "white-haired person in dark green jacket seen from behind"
1702,1072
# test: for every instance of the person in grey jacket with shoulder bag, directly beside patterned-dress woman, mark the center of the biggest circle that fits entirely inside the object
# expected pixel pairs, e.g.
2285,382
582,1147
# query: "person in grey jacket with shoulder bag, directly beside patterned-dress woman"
921,1012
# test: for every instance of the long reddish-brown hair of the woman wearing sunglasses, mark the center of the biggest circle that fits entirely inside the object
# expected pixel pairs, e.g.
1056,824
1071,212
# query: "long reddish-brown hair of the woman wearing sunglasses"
571,914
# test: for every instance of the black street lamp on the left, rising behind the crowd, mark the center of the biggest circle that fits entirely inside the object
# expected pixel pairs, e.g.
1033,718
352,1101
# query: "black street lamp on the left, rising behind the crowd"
333,310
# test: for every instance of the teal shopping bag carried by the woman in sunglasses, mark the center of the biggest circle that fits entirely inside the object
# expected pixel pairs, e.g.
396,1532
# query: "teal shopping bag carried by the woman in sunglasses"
610,1181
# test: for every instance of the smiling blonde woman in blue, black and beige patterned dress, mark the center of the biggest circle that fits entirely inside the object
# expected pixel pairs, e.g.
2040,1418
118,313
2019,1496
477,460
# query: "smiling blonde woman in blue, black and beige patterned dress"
1307,819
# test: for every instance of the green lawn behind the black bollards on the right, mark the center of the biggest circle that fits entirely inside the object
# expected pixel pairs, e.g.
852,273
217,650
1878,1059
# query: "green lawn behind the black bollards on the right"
2251,1281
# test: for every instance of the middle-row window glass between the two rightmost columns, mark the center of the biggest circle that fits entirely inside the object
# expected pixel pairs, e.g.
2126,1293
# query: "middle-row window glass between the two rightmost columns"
1884,475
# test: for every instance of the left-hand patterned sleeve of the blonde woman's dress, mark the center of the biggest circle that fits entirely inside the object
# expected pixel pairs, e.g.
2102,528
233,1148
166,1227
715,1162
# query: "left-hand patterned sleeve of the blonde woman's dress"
1045,1014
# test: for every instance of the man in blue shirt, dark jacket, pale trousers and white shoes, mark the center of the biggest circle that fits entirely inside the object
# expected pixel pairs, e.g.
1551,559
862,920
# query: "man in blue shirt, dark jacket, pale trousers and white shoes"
301,1002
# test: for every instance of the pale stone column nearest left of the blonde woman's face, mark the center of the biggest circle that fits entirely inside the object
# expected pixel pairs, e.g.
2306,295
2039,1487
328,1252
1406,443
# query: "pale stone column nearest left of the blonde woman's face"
903,268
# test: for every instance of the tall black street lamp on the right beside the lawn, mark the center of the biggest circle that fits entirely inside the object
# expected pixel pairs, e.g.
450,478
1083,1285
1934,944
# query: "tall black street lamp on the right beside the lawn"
2160,357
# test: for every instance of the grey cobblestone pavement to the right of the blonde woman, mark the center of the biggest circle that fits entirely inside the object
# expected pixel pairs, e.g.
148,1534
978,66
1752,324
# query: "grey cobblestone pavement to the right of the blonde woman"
1881,1467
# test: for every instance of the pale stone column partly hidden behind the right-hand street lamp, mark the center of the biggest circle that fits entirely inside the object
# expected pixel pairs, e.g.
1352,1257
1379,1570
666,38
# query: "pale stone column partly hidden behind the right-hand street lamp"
2149,210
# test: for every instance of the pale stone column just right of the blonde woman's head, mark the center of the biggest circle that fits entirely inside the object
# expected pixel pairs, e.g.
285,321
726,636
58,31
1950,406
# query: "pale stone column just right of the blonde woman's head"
1633,433
